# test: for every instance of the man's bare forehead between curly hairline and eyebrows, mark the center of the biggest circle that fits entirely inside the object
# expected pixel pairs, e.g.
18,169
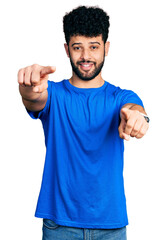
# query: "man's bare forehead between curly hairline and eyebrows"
85,40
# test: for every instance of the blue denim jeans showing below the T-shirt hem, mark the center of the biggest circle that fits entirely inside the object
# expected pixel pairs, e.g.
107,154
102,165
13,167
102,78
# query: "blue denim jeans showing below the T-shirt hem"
53,231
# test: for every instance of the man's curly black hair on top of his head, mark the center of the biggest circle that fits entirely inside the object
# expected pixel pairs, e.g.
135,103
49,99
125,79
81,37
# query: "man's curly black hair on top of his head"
86,21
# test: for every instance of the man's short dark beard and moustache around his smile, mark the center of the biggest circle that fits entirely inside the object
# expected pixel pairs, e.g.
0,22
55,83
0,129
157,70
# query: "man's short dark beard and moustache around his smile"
87,76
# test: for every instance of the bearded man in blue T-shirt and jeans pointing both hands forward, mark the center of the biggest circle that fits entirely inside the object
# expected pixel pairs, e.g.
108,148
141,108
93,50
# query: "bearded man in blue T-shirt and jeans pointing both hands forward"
85,121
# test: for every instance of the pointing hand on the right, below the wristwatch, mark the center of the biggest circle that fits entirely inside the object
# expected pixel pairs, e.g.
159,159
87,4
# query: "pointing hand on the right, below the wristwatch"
132,124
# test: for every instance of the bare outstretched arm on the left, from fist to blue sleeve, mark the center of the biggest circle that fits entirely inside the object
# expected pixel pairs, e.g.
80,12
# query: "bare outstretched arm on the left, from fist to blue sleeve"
33,83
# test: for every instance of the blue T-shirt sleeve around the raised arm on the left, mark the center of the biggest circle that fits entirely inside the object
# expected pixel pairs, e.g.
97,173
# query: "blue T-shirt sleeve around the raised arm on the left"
44,112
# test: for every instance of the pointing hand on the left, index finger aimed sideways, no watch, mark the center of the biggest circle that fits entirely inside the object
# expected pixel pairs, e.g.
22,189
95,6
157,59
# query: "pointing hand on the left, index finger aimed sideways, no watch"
35,76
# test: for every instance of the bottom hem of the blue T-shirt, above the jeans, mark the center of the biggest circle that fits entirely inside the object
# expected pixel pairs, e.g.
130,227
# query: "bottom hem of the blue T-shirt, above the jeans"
81,225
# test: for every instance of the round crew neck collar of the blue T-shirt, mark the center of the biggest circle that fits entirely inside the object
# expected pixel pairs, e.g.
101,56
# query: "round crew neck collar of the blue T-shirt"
84,90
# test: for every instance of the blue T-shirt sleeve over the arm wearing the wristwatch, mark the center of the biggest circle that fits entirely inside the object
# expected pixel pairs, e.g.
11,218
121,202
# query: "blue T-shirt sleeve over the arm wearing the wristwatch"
128,96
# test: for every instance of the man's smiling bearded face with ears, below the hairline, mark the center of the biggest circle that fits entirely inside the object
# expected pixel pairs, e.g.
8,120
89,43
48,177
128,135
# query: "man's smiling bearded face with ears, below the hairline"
87,56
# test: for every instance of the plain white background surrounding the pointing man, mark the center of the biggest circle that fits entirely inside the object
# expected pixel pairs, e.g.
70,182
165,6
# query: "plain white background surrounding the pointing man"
31,32
